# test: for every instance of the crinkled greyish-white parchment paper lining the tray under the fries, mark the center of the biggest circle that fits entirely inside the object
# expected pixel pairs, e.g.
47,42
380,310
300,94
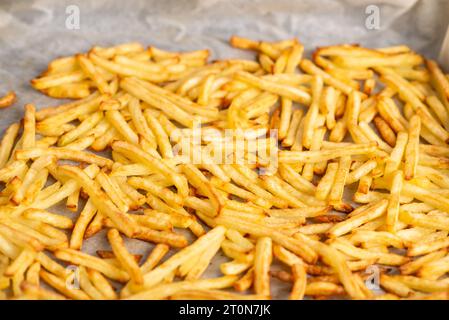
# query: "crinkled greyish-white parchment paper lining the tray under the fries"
34,32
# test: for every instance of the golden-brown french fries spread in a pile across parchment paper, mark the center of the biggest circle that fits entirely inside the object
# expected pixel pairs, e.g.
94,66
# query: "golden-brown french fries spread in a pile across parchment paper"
361,180
